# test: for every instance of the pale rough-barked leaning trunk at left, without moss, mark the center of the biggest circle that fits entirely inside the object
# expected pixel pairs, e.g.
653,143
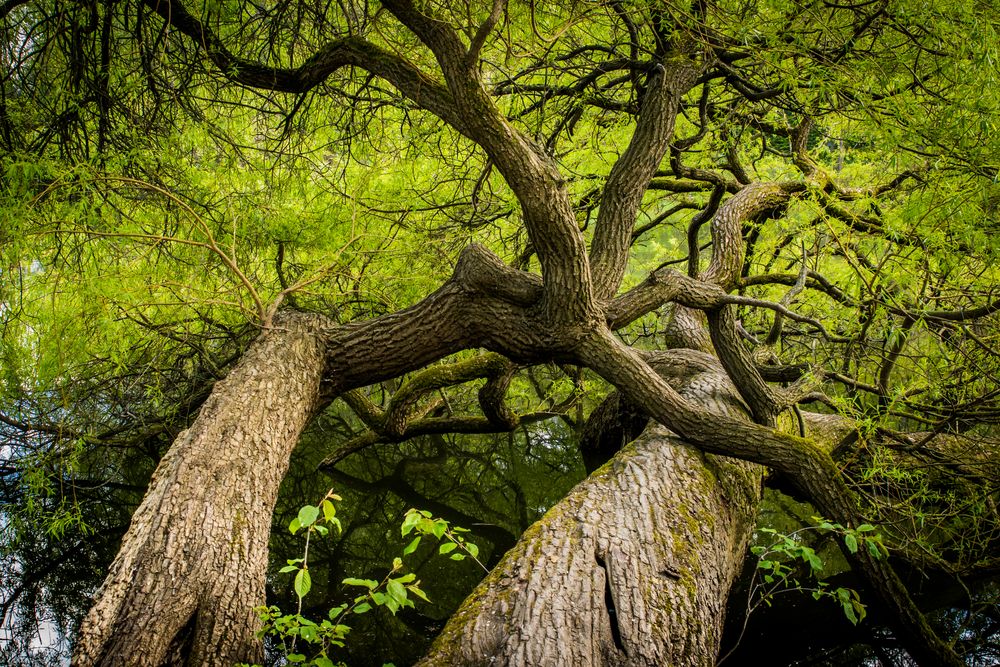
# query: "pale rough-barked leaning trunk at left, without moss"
191,568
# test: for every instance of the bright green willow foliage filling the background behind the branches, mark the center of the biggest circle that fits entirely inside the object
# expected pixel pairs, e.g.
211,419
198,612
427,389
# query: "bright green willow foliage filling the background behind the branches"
151,215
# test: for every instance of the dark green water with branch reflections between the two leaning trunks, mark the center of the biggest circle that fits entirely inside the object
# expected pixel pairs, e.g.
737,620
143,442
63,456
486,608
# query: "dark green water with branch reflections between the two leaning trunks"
494,485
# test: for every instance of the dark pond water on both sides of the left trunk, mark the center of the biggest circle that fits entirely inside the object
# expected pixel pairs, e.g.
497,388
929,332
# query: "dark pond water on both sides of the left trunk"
493,485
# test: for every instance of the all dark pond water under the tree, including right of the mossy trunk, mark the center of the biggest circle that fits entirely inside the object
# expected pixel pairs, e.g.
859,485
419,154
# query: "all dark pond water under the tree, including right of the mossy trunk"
494,485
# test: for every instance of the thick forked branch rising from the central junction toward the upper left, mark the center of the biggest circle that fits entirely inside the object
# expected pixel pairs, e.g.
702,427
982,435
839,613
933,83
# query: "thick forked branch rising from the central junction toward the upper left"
463,103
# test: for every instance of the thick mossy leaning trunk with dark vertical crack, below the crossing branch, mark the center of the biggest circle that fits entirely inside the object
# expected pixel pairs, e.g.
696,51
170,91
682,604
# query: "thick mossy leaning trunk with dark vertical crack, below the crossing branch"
632,568
